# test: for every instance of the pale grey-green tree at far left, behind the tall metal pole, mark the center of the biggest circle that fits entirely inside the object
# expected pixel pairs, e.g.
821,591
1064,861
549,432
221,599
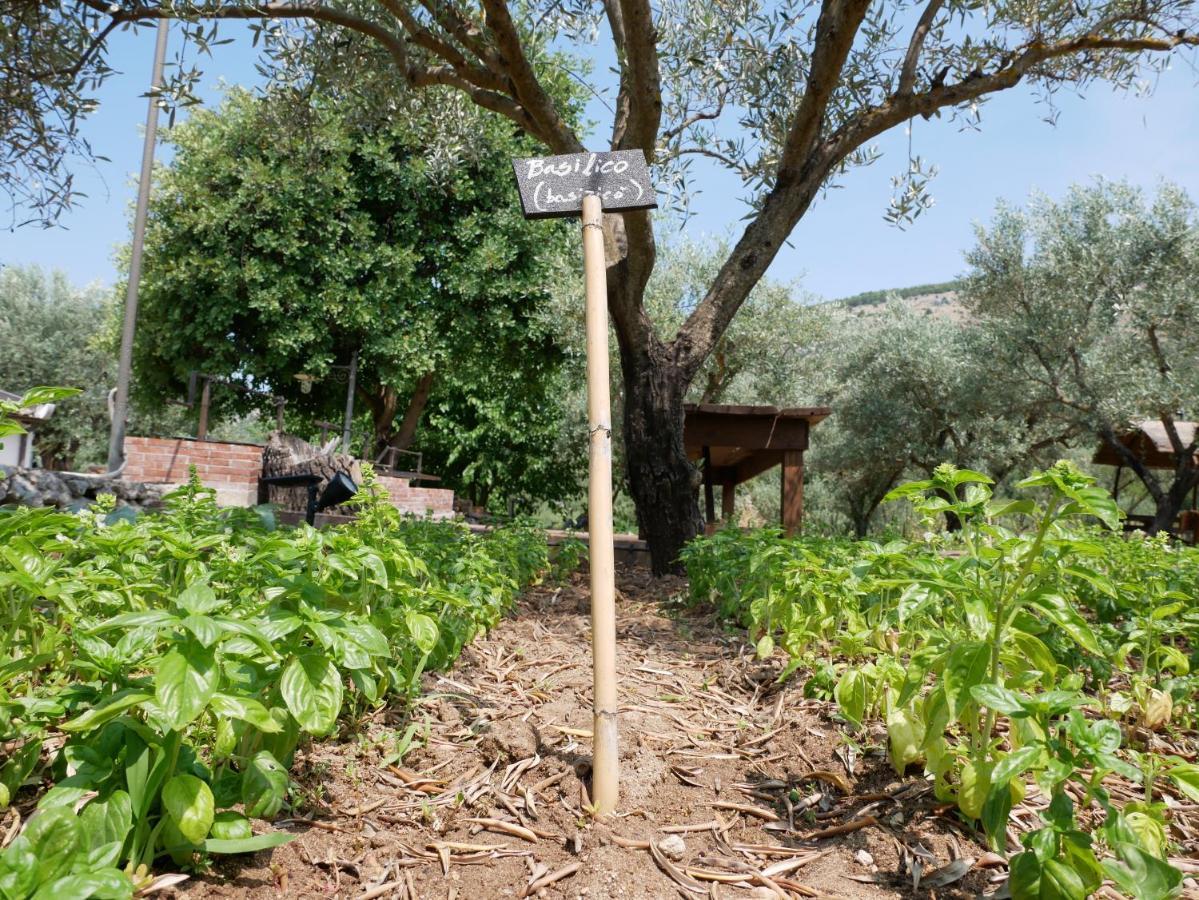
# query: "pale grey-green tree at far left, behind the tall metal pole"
53,334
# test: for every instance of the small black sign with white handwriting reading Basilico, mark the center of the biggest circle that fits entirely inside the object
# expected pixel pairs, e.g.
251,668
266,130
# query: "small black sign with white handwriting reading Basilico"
555,185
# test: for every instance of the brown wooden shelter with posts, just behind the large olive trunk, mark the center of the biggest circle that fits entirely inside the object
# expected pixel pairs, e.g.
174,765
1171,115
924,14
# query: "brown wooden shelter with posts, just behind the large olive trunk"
738,443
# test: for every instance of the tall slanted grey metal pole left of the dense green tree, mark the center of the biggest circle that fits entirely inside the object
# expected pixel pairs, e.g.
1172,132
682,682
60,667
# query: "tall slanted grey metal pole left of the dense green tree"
122,407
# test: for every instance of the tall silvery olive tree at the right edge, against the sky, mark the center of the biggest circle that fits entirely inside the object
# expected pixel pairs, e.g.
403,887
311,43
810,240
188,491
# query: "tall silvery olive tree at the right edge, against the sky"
1090,309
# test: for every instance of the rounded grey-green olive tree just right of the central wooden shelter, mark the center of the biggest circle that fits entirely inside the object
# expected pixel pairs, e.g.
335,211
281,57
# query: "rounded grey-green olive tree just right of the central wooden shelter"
911,391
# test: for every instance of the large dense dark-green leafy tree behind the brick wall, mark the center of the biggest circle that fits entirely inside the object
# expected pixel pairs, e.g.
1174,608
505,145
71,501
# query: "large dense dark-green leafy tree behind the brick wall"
290,233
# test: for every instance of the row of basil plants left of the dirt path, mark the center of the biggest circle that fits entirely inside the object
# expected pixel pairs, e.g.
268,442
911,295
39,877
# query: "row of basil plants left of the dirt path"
160,672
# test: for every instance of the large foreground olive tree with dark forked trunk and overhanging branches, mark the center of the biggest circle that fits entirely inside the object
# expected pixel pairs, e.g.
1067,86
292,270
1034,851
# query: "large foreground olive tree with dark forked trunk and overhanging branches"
787,95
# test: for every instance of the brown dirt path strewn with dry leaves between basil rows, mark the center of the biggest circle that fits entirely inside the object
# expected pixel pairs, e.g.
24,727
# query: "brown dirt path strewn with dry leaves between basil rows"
749,788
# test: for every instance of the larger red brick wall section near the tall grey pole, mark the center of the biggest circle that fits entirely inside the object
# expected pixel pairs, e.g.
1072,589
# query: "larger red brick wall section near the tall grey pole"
232,469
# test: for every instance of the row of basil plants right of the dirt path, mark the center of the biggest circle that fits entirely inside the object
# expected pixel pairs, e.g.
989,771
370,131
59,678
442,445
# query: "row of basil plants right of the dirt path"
1029,644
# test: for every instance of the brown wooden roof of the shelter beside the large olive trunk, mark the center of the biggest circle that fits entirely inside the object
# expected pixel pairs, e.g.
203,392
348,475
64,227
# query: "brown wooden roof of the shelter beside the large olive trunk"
744,442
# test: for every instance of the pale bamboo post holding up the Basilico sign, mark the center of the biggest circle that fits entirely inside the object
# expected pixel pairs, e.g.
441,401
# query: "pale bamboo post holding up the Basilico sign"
606,760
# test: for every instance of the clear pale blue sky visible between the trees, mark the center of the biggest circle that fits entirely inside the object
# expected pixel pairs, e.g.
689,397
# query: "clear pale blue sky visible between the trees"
842,247
